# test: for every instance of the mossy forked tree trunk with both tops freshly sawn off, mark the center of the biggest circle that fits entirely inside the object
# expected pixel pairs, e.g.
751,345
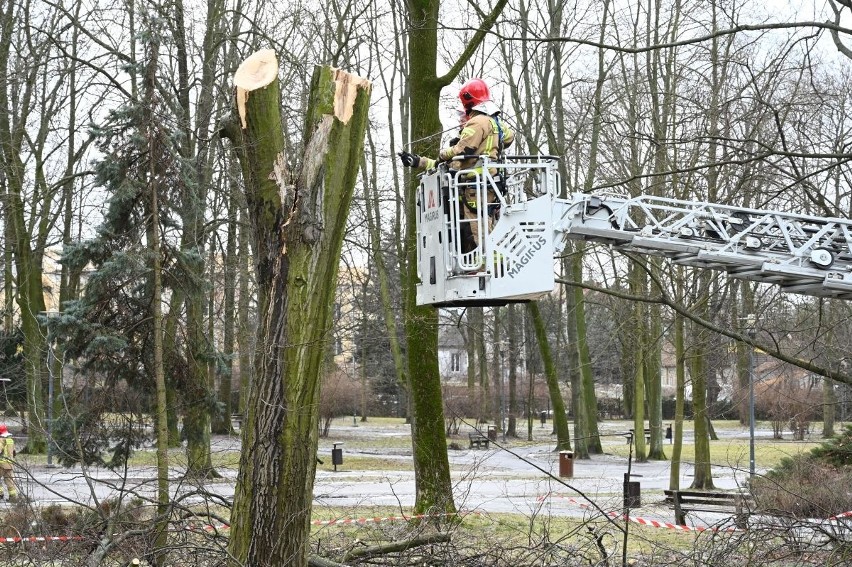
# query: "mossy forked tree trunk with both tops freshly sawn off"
298,219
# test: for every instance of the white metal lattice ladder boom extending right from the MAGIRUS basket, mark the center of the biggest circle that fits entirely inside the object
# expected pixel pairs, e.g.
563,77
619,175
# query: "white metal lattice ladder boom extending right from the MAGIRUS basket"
803,254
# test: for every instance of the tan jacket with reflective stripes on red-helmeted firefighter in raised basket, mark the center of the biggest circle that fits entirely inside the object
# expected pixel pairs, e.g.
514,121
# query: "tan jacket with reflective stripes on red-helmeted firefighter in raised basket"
481,135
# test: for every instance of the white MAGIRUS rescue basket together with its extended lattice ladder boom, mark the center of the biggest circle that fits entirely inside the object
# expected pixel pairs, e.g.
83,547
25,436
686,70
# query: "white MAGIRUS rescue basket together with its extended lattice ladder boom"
504,252
